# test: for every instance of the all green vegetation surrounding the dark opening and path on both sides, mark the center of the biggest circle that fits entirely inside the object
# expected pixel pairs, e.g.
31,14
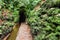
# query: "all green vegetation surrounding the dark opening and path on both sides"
45,22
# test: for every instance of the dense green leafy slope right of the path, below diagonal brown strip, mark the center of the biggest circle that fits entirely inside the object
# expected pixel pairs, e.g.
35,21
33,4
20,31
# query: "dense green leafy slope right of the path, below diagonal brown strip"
45,22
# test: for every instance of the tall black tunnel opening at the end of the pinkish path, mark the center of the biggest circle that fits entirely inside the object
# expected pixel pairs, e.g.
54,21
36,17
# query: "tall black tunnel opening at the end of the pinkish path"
22,15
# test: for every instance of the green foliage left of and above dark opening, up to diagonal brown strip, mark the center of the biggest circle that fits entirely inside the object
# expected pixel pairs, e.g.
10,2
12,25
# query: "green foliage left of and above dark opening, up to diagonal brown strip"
8,19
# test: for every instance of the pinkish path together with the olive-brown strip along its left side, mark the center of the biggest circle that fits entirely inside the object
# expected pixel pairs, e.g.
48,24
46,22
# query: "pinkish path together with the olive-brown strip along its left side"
20,33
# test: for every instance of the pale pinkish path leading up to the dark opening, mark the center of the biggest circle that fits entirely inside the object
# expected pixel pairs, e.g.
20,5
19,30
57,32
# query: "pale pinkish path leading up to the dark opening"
24,33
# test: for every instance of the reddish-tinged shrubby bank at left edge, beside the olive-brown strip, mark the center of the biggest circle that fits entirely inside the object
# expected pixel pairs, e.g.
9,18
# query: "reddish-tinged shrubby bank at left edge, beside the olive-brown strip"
6,23
